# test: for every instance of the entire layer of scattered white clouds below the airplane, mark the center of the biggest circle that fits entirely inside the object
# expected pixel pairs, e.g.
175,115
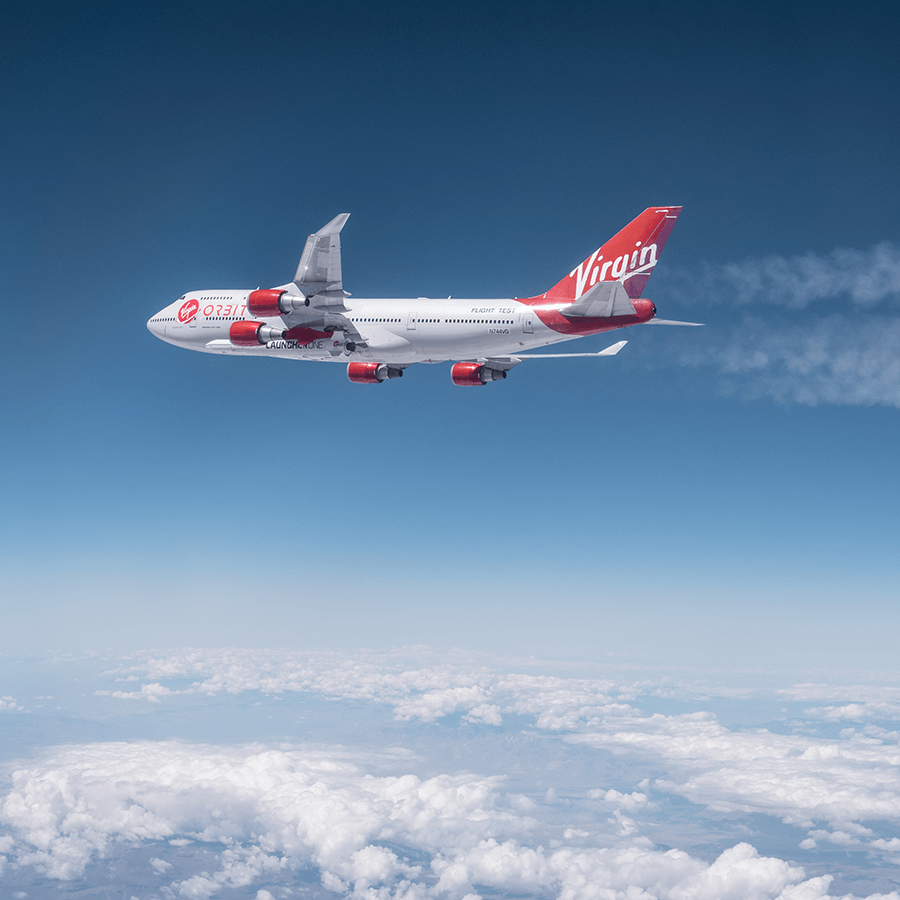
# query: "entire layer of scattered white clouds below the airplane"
390,821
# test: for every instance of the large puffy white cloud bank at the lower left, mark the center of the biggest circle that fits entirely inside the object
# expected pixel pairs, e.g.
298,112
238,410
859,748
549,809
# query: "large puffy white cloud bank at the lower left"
302,806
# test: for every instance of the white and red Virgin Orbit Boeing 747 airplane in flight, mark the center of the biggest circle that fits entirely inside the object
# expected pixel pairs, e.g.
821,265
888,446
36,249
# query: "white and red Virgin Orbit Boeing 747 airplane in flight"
314,318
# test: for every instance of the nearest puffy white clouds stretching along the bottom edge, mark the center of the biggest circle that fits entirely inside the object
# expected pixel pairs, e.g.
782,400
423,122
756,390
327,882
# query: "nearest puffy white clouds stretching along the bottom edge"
280,809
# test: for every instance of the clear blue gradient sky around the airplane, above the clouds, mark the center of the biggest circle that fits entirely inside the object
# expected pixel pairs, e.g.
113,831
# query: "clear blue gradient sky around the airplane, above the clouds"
655,505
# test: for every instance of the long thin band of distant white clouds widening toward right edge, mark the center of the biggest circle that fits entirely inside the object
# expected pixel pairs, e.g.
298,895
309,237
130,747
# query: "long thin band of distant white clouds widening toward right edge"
799,778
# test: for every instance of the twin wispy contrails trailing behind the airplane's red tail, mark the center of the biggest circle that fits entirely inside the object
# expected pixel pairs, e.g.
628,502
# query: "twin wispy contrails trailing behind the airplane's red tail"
824,356
